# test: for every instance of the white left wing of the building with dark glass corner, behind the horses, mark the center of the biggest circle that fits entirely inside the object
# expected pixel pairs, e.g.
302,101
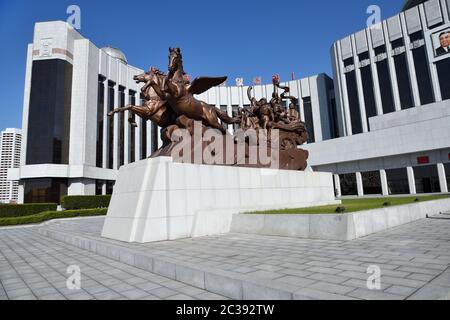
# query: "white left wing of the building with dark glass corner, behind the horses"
71,146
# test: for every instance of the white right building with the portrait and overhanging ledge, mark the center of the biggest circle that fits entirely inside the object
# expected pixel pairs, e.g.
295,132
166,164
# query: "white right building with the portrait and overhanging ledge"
392,88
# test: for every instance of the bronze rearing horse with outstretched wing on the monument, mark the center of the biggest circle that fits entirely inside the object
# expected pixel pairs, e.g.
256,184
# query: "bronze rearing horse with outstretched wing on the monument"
180,94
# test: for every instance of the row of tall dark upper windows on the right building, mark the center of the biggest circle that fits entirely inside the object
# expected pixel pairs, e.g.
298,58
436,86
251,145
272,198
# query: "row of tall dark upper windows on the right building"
401,66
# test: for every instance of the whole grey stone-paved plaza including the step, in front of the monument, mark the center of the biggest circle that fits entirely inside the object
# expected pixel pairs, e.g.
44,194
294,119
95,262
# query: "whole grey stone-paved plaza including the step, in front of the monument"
414,261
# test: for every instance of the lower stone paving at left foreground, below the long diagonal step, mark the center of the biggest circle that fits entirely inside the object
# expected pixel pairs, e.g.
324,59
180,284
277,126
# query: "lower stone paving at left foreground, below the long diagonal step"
34,267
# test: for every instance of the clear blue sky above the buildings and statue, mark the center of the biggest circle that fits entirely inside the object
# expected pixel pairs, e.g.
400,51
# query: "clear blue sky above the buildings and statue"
228,37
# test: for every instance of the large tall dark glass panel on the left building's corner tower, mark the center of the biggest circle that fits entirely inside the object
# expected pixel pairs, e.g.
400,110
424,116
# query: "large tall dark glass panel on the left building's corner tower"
49,112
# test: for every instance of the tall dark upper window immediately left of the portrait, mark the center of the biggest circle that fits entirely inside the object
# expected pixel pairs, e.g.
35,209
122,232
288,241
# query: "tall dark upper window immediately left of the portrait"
421,65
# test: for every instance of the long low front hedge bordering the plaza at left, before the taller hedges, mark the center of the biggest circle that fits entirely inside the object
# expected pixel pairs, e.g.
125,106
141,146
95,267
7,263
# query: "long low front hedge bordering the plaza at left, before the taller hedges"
49,215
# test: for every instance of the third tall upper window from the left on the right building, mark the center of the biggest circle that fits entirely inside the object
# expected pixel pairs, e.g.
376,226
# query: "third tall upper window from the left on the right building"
384,79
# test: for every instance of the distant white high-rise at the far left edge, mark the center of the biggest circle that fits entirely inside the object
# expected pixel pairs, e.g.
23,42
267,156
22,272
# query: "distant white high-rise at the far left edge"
10,143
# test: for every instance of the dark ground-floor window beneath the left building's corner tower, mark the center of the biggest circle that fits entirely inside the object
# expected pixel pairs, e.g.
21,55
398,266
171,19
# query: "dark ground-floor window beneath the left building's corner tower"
45,190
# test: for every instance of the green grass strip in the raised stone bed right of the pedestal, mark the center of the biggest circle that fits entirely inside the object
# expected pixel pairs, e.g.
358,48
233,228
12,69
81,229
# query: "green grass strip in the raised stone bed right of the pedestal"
354,205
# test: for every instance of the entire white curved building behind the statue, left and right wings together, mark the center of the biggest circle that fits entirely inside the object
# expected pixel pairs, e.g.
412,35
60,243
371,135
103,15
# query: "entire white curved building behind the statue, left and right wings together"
382,125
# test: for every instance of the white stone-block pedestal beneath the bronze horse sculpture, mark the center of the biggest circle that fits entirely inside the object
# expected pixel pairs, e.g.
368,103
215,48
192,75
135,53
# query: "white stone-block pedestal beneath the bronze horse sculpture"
158,199
